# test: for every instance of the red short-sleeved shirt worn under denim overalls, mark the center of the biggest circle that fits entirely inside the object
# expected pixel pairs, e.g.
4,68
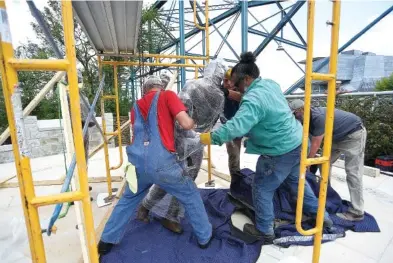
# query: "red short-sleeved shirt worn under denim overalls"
168,106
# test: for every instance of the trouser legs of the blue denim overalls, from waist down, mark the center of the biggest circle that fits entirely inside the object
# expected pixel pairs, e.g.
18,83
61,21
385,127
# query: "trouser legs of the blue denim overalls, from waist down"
173,182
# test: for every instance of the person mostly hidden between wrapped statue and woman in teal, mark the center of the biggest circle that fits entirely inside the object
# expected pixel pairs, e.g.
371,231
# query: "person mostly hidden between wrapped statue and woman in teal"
231,106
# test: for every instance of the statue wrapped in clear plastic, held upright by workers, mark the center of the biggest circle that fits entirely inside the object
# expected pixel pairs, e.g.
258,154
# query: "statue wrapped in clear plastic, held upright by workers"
204,101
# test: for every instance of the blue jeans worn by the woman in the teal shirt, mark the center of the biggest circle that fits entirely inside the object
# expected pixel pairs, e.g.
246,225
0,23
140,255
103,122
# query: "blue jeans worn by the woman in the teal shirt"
271,172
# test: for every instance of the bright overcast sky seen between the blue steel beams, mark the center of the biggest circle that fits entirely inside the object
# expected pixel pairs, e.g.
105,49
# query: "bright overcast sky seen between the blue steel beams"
273,64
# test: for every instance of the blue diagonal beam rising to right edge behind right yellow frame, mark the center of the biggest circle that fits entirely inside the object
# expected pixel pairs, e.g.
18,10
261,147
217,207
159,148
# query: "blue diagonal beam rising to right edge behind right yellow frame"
325,61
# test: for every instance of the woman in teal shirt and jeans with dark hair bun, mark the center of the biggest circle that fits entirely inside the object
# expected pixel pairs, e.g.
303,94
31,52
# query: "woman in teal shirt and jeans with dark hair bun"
275,135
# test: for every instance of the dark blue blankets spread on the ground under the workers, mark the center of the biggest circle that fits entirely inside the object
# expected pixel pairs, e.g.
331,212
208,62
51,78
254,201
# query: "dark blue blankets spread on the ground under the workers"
152,243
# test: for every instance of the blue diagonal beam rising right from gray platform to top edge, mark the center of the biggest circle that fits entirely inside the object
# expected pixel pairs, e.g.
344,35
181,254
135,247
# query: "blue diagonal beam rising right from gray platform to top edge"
218,19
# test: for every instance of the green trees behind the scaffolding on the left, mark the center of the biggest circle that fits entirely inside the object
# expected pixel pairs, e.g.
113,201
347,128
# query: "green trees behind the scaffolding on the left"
151,38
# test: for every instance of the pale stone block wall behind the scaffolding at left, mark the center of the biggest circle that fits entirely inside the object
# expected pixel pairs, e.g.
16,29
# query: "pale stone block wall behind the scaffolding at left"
45,137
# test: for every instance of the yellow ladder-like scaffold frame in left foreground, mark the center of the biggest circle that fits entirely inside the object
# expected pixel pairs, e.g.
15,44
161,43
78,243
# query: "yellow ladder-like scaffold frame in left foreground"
9,66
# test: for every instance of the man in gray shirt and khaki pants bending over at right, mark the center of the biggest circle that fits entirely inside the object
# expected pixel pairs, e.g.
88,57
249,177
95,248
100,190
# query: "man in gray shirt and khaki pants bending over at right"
349,138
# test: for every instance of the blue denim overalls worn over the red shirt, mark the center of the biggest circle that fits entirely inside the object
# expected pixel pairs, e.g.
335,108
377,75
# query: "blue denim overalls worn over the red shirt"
156,165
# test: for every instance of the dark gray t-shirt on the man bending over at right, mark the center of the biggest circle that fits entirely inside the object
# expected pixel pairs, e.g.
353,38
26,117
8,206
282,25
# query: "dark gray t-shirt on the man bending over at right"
344,123
